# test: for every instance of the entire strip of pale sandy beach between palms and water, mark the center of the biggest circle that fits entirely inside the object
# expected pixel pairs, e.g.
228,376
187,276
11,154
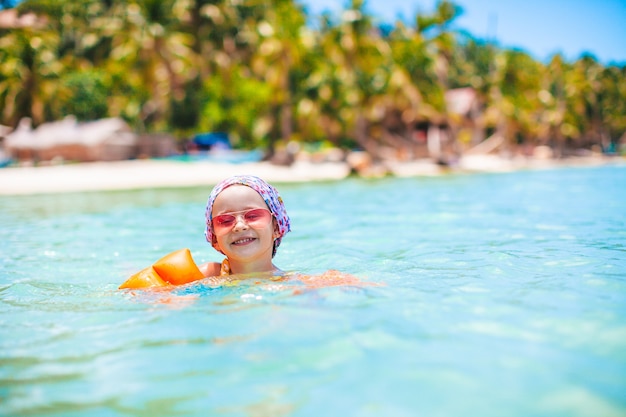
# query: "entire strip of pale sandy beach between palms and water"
143,174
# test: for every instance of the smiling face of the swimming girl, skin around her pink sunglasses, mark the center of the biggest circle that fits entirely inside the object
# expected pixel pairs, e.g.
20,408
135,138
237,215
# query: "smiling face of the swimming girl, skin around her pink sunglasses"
247,241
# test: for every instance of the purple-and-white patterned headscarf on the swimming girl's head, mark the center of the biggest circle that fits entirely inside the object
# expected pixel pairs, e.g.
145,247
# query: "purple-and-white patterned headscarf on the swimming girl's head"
266,191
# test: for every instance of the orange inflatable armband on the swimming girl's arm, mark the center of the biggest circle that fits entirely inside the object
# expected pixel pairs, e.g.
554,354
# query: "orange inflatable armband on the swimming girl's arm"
176,268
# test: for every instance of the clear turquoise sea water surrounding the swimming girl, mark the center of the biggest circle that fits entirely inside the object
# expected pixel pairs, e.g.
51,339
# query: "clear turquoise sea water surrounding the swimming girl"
503,295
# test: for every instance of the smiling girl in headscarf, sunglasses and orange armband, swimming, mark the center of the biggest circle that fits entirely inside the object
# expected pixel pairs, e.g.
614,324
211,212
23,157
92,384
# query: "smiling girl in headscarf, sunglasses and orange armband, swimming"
246,221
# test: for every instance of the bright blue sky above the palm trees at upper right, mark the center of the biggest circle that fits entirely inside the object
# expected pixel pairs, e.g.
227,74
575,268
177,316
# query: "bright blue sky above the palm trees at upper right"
541,27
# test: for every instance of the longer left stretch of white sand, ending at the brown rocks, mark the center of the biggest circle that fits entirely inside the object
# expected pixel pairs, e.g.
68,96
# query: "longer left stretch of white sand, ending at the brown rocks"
136,174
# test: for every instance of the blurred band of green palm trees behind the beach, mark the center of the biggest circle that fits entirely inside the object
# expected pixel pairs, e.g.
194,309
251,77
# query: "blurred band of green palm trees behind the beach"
256,70
